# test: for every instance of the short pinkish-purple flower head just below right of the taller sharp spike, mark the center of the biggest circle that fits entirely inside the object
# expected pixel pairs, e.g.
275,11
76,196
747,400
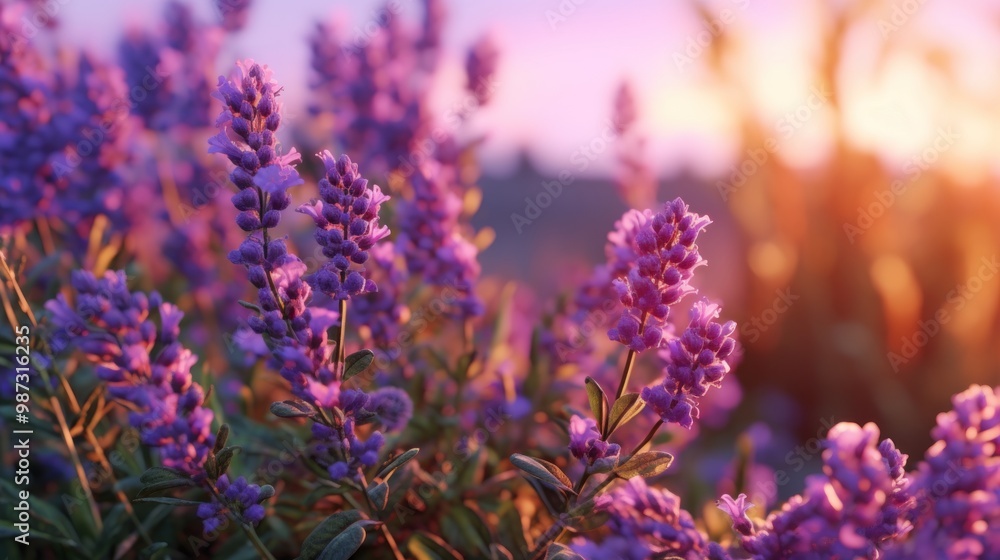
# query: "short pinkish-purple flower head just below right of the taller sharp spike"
694,362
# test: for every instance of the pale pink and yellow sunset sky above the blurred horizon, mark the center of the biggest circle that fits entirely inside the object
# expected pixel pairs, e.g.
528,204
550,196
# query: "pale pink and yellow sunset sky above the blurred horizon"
561,62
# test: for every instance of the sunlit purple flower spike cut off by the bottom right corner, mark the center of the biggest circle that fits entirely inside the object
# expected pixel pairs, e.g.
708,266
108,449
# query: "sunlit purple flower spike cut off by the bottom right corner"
958,483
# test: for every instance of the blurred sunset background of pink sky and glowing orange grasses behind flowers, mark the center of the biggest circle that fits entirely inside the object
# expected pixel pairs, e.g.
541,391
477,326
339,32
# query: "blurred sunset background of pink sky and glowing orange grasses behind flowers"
845,150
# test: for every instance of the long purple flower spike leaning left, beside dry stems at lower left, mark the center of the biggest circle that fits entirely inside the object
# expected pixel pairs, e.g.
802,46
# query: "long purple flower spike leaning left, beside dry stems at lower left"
113,328
